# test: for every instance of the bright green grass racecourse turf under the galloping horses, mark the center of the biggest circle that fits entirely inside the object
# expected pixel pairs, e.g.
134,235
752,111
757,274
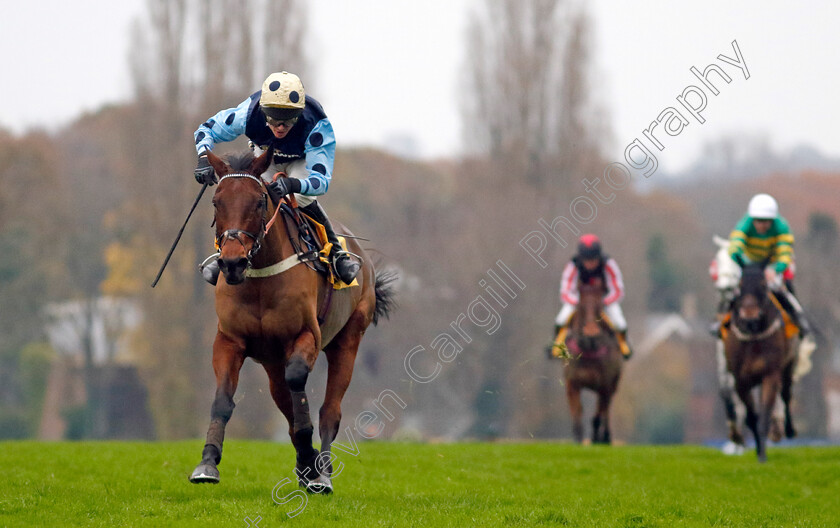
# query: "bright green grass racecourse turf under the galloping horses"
387,484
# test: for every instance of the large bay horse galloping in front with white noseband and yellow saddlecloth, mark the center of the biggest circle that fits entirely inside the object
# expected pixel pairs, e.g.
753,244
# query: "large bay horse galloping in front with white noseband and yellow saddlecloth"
272,317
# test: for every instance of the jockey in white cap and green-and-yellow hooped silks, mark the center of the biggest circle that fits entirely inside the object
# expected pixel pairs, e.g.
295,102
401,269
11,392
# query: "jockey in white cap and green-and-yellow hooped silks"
763,235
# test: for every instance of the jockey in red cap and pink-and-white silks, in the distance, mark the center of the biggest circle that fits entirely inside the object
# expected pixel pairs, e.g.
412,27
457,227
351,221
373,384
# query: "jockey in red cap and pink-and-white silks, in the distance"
590,263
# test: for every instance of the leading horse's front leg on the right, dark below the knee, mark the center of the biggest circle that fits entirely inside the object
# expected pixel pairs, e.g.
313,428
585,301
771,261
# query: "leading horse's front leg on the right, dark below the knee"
298,367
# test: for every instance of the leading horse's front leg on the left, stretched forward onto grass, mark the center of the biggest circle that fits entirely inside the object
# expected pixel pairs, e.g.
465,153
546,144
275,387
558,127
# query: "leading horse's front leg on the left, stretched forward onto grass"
228,356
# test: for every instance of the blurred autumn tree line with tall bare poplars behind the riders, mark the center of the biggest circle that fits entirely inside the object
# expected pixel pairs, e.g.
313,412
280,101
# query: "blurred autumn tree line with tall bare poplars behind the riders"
92,210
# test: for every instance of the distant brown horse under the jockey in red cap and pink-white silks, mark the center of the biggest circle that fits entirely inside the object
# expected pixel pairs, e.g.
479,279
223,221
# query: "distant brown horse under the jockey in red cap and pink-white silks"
595,362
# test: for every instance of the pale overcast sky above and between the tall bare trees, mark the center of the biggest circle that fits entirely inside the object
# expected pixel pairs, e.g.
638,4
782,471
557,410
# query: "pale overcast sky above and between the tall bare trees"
390,70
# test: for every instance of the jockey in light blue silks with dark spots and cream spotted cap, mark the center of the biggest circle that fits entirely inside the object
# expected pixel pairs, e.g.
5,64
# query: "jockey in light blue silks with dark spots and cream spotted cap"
283,116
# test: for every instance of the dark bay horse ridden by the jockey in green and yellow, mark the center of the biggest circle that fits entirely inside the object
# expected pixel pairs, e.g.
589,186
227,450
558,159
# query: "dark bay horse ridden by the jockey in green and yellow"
759,352
